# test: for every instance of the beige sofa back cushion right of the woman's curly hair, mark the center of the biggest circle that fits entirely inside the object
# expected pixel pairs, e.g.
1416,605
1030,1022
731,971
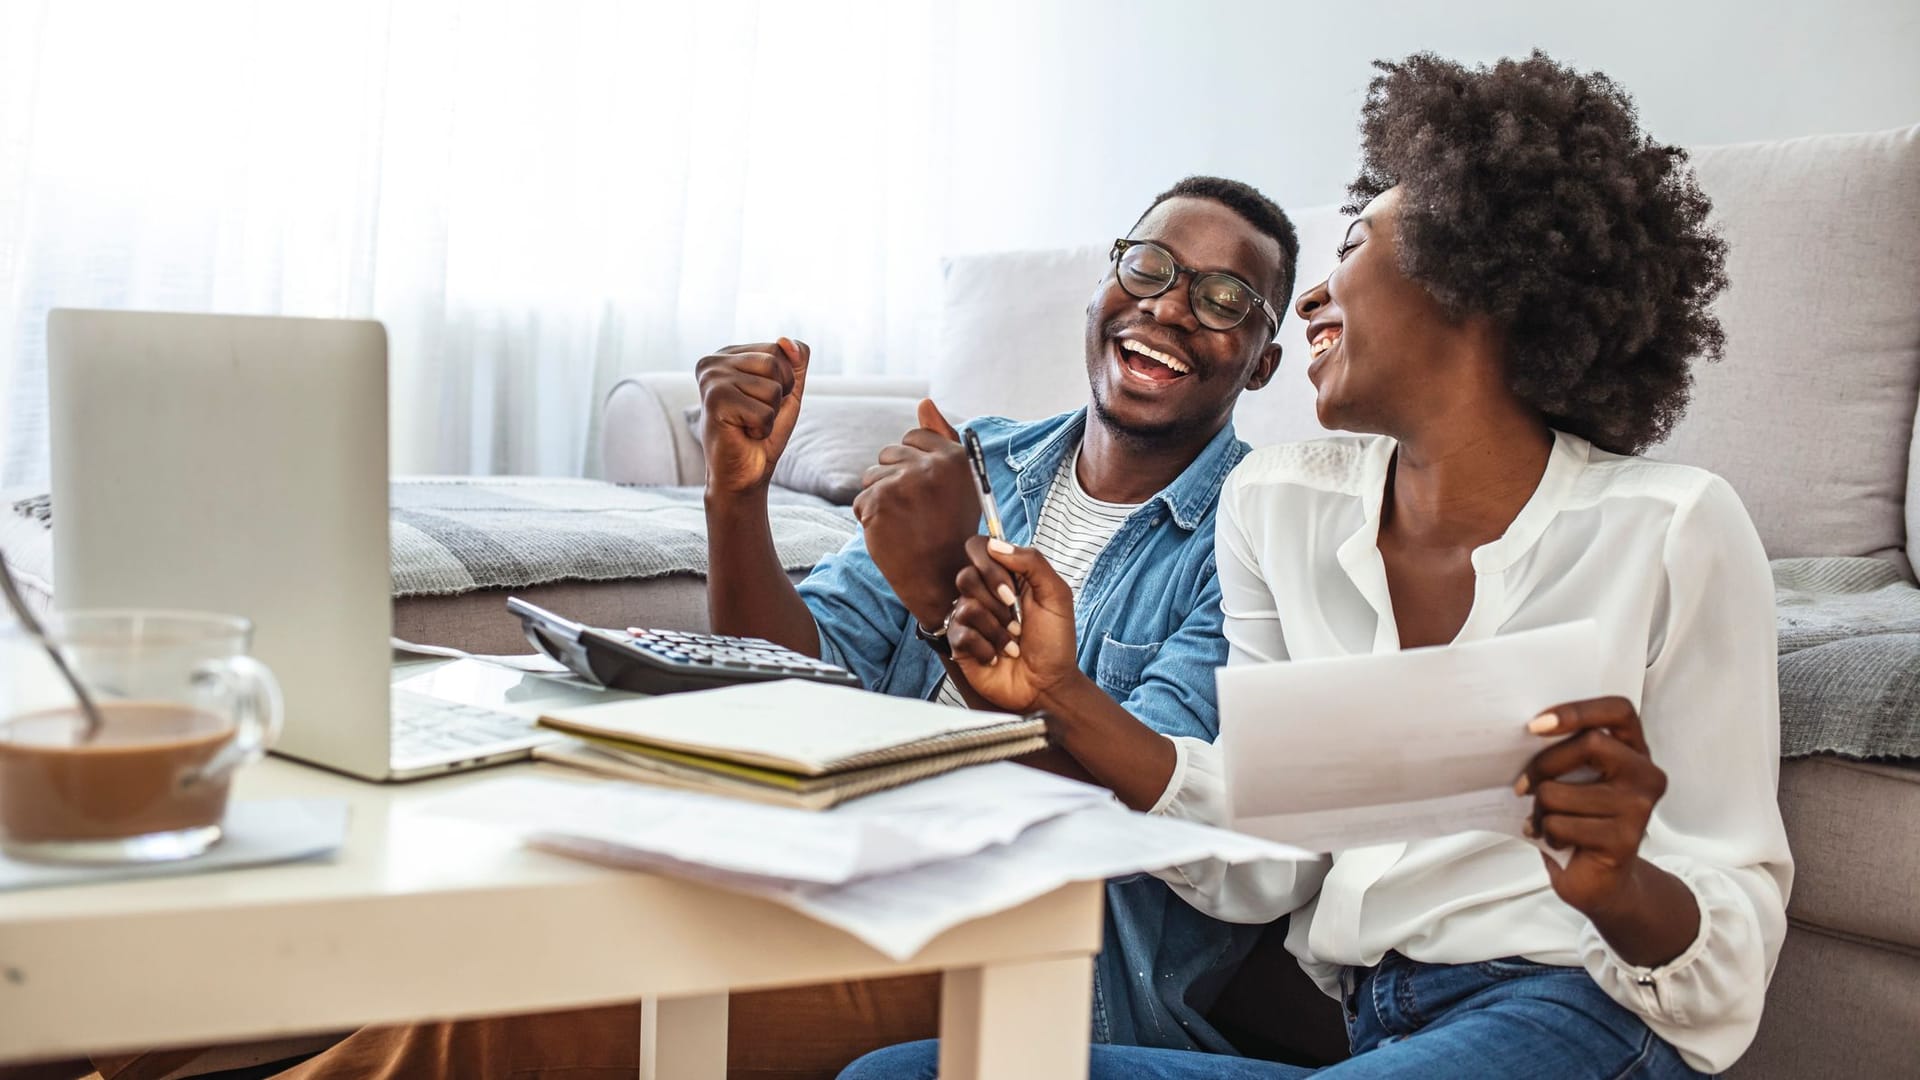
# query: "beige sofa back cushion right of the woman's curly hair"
1812,416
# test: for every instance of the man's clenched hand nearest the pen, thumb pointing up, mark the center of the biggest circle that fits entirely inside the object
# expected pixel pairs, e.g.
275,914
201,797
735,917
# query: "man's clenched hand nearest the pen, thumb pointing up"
917,508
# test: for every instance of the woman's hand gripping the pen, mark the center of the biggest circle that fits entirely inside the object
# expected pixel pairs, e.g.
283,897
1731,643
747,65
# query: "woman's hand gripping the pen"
1017,664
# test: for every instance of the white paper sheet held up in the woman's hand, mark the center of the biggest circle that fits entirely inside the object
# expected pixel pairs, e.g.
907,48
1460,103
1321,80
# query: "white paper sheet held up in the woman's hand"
1335,754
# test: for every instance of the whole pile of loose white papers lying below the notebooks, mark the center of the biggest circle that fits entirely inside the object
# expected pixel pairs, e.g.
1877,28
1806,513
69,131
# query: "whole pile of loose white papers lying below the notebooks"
894,870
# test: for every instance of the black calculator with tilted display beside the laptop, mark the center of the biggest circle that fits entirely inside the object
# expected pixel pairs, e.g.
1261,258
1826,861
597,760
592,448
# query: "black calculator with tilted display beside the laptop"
665,662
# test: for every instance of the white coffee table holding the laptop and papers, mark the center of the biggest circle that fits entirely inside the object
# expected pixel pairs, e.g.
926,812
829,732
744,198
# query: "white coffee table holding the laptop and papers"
421,918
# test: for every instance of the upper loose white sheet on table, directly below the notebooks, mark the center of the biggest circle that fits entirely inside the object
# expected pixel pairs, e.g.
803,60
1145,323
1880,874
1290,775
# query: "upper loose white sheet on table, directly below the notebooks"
944,818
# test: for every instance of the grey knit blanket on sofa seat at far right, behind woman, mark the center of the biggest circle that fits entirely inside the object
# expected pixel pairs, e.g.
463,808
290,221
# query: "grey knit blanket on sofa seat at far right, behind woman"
1850,658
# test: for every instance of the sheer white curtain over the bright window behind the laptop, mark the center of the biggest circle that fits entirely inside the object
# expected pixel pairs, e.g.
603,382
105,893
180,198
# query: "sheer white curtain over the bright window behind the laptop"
535,197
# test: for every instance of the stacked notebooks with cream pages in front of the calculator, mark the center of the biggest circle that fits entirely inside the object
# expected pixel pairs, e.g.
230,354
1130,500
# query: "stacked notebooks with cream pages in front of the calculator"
788,743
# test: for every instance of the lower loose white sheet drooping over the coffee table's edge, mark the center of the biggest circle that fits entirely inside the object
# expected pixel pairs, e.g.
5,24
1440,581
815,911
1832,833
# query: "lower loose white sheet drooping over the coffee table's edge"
900,914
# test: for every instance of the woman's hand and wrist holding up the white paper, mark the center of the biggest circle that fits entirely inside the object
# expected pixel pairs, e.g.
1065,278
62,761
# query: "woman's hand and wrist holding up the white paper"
1644,912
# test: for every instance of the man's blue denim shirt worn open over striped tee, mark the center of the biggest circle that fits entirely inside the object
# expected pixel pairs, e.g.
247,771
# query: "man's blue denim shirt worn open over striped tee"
1149,631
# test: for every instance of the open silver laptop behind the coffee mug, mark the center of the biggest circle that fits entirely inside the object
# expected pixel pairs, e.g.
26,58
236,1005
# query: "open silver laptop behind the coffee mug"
239,464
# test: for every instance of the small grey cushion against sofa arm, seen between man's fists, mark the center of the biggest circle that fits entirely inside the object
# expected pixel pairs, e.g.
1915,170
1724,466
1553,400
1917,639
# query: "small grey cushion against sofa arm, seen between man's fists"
834,443
